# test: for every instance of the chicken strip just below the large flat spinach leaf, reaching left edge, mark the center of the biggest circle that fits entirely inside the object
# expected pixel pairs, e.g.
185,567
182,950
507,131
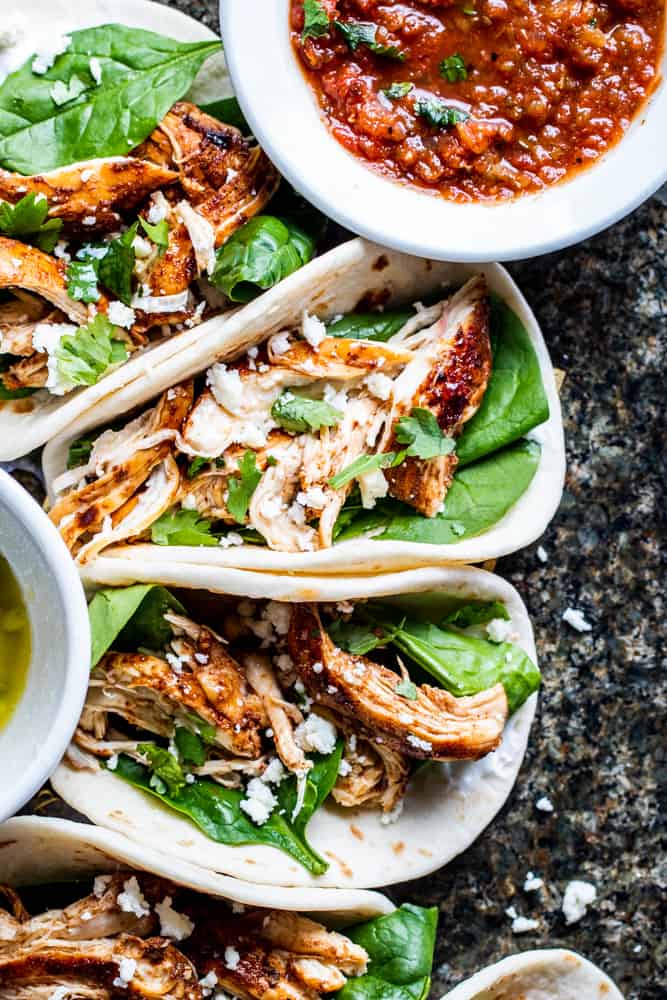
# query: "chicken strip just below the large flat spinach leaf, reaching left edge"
104,190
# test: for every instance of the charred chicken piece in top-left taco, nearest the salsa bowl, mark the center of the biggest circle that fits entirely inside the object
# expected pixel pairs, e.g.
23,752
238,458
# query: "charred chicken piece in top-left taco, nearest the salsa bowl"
227,180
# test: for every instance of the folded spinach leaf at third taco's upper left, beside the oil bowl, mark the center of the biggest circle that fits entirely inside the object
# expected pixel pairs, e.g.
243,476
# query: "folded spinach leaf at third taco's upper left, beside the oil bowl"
132,615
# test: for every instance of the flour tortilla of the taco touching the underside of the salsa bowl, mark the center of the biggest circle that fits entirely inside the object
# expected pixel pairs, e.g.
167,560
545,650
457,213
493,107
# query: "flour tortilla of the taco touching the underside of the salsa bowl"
333,284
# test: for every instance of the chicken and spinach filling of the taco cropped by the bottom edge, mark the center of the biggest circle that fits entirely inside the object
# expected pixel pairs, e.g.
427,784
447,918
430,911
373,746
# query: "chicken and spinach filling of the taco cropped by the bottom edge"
140,936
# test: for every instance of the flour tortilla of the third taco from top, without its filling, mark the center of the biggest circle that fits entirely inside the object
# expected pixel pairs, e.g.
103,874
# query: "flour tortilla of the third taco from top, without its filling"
446,808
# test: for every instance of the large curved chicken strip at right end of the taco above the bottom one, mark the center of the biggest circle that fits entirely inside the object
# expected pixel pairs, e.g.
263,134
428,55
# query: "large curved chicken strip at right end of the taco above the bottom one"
436,726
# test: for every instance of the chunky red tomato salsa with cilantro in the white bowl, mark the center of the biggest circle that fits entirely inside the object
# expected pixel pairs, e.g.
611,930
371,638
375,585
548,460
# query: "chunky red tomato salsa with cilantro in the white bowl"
479,99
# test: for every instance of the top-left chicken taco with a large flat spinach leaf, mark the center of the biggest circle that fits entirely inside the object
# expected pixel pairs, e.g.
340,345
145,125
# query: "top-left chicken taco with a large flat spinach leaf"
131,218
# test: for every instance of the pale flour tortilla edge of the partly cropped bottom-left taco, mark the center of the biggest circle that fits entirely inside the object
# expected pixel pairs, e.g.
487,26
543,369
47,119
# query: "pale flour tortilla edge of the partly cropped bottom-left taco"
35,850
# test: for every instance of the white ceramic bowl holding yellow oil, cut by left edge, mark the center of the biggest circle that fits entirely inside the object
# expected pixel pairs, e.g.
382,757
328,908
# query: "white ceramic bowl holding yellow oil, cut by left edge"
34,739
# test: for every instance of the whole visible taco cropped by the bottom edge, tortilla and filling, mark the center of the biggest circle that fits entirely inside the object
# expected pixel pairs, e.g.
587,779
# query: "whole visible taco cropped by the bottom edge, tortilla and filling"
140,932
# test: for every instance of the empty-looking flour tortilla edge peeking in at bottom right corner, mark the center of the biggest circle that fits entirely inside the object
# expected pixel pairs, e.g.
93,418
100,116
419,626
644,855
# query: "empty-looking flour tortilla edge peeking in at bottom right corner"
550,974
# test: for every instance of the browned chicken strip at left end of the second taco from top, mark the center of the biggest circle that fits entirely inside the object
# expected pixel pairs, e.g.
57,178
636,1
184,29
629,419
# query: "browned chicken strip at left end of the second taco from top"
82,513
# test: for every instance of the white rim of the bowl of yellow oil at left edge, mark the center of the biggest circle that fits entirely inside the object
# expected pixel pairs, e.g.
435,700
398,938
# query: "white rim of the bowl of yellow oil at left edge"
35,523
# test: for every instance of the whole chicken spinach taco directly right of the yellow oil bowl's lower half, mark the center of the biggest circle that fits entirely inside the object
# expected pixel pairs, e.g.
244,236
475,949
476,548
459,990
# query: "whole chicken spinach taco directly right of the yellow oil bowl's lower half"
337,743
